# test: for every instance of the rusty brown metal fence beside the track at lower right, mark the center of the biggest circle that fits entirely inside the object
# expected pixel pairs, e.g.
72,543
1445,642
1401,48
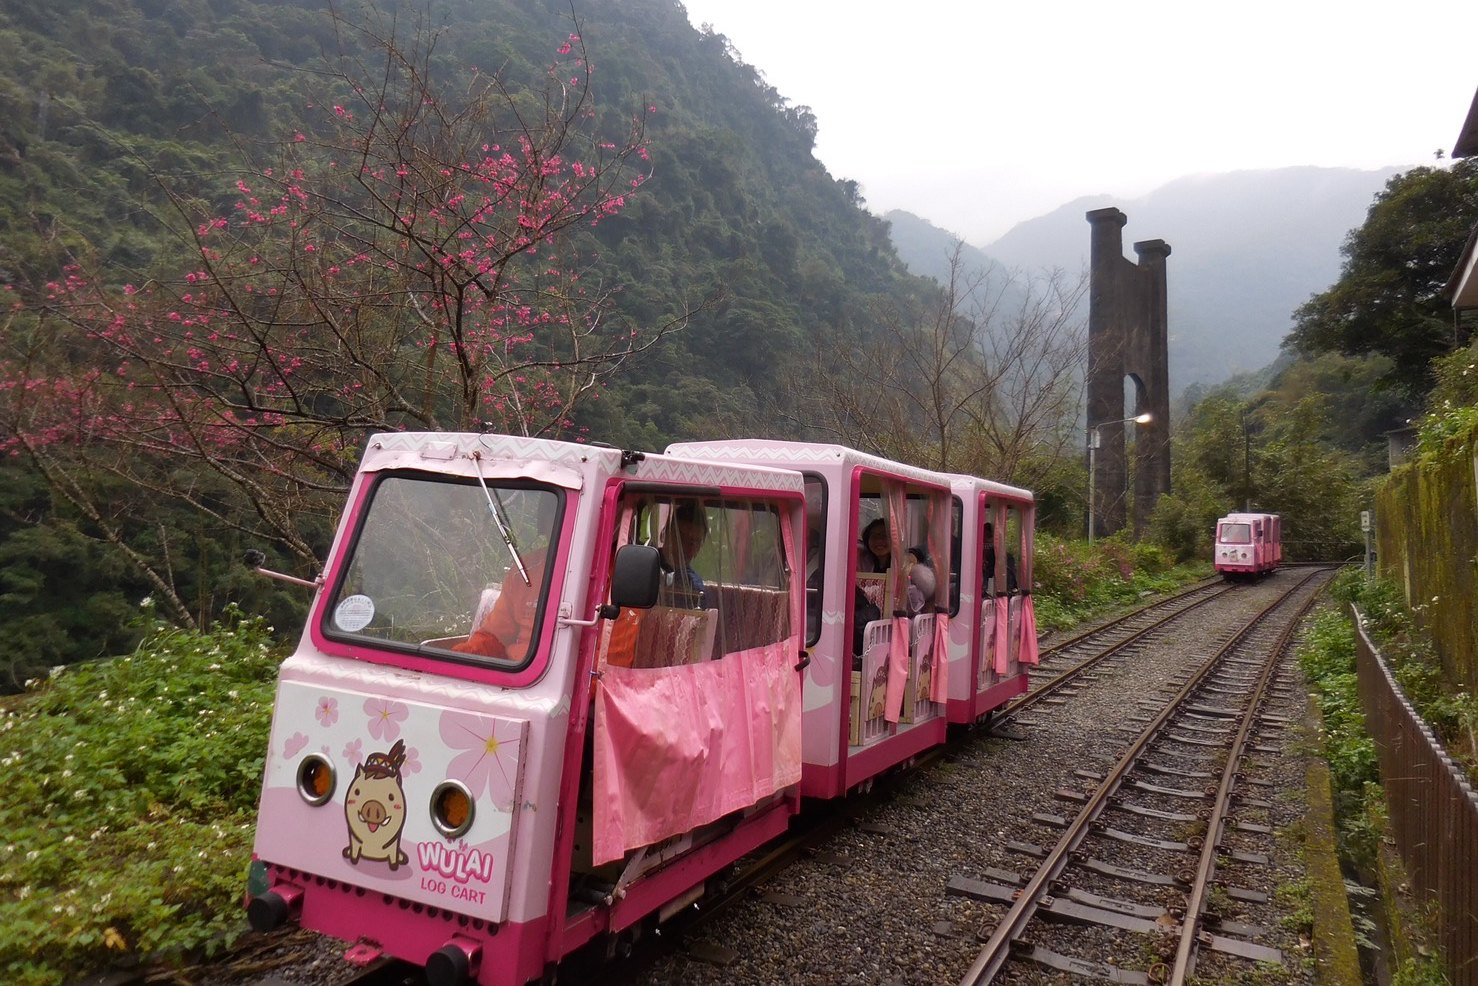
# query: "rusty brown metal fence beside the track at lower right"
1434,811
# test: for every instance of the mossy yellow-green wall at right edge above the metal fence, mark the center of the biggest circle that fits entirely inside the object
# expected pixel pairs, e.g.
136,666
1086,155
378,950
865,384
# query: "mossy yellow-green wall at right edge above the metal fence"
1427,539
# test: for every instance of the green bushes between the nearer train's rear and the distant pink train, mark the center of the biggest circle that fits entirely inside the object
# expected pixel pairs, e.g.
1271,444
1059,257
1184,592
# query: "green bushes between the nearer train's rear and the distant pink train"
1075,580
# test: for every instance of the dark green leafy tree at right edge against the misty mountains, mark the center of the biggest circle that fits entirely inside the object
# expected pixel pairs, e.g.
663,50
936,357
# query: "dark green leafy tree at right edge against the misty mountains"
1390,298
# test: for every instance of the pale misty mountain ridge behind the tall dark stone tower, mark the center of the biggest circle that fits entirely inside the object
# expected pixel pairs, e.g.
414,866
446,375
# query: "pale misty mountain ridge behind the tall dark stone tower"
1247,249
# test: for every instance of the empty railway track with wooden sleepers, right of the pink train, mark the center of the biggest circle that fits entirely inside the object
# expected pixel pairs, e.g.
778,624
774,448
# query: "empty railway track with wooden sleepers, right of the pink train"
1143,854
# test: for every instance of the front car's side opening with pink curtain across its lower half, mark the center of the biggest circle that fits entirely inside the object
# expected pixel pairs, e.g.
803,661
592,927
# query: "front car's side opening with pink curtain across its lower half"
698,704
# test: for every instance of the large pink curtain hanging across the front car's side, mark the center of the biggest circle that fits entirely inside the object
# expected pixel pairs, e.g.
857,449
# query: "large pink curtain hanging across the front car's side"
682,747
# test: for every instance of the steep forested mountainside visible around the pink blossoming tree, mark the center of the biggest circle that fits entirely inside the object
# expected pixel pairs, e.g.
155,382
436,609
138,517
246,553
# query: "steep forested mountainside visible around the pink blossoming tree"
737,205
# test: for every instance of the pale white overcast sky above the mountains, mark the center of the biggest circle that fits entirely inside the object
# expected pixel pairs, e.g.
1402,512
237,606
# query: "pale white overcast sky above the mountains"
978,115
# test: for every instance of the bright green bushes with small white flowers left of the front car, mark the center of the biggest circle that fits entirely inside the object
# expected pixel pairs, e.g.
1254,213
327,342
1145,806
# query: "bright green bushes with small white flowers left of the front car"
131,802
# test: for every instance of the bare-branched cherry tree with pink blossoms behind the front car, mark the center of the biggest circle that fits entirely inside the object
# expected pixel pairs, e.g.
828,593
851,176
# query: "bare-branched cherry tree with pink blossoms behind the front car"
418,254
